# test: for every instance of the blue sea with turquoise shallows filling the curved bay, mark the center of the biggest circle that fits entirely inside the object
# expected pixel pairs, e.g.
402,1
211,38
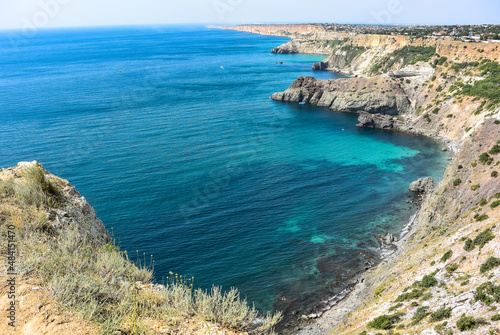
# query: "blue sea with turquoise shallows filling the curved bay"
170,134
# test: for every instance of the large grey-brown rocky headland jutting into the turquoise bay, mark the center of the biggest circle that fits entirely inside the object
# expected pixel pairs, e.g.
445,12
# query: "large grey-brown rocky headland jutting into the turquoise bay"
375,95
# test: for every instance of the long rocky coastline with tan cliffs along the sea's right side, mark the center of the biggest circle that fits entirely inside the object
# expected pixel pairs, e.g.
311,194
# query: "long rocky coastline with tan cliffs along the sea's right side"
445,273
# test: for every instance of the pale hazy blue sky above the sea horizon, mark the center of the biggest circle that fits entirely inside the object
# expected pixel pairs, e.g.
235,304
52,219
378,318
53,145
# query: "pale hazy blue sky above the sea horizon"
26,14
